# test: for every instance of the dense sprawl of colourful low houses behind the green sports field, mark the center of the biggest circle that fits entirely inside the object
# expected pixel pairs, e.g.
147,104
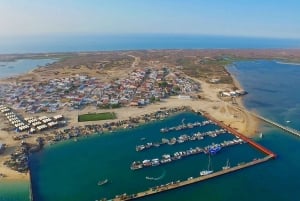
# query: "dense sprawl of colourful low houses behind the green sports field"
139,88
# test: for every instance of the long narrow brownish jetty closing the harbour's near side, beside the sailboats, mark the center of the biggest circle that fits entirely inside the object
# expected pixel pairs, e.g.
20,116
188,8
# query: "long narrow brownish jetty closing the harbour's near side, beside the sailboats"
191,180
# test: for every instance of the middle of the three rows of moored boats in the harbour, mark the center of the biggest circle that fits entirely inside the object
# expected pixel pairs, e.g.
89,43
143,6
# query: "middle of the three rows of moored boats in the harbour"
181,139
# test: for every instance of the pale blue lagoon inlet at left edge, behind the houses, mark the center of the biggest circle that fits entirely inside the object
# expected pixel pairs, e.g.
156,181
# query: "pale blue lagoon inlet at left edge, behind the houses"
21,66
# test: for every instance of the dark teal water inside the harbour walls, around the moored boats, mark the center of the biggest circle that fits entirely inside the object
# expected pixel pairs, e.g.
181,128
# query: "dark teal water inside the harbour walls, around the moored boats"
63,172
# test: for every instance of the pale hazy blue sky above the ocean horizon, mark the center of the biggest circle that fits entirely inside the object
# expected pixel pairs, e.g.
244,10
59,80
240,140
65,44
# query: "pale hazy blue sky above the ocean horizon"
249,18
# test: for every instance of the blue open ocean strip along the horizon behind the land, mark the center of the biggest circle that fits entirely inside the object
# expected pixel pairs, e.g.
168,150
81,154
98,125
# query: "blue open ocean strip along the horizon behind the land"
77,43
